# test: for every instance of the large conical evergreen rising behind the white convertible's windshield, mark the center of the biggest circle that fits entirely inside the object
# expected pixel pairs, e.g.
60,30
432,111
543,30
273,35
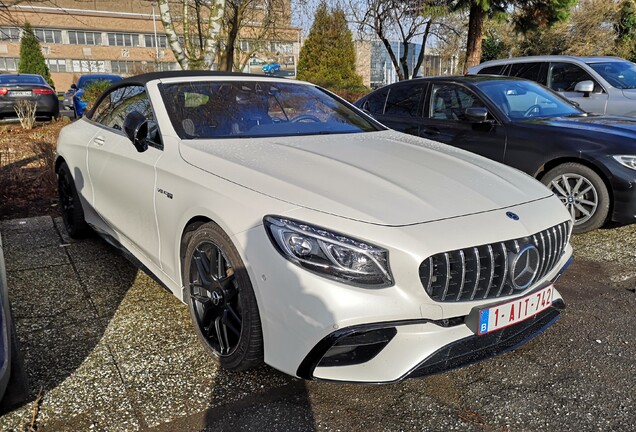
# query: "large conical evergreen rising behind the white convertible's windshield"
328,56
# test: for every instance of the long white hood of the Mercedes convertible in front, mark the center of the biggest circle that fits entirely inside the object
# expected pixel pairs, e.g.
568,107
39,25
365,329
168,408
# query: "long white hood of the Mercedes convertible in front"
384,178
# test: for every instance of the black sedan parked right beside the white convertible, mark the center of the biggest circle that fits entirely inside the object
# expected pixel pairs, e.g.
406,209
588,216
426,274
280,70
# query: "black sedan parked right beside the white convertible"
588,161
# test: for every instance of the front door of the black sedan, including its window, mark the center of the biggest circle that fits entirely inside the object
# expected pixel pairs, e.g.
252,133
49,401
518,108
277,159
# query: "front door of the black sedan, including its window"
445,121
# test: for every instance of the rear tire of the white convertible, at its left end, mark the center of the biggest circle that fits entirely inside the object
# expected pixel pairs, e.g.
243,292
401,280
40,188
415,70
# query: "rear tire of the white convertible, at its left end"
70,204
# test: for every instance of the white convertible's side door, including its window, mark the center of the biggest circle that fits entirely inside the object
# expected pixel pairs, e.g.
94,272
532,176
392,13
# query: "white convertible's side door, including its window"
123,179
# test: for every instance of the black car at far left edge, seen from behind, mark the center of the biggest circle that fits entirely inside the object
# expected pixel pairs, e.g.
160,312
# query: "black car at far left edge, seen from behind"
34,88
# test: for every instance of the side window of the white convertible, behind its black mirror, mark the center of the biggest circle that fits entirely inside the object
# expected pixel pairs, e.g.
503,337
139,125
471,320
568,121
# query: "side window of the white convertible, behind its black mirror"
114,108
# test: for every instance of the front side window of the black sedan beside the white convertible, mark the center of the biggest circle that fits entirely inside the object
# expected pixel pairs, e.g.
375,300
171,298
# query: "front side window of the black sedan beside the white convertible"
449,102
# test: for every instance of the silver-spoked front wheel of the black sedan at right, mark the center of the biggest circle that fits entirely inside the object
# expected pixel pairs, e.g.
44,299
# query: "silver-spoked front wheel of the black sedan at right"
582,192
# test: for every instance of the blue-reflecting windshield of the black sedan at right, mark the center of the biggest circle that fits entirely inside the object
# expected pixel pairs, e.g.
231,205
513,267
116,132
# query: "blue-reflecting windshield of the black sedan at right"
525,99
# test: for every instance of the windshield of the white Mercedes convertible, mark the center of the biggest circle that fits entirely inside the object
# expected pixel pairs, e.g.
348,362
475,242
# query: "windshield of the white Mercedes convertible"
239,109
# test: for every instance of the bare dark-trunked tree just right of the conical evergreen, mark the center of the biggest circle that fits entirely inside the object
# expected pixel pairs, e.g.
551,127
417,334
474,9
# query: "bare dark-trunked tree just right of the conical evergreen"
407,22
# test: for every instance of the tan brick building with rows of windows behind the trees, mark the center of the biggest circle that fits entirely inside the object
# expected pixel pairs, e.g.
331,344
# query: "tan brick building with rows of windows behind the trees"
124,37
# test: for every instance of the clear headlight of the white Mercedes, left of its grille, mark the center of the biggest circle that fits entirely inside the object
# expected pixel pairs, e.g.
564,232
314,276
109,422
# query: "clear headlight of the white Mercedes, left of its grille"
330,254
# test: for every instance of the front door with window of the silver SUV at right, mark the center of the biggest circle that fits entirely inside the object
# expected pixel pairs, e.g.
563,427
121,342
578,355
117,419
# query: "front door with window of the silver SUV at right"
563,77
